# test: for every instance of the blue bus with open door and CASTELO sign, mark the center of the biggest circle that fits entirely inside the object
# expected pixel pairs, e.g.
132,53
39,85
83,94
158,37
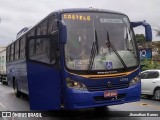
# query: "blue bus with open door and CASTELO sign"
78,58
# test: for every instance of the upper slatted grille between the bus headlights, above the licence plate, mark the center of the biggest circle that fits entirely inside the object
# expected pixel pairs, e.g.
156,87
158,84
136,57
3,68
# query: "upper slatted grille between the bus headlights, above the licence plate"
105,87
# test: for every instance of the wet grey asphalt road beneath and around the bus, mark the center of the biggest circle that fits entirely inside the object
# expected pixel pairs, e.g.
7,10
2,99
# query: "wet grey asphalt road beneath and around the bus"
8,102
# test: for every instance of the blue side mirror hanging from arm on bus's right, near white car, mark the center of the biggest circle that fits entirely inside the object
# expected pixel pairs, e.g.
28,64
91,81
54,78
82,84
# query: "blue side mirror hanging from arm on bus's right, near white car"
148,32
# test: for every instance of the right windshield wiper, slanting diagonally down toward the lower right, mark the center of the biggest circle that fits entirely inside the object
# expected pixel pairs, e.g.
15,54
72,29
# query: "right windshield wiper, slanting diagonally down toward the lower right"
110,46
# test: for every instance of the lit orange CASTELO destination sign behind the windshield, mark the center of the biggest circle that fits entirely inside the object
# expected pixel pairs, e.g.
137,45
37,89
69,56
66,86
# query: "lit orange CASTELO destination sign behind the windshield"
77,17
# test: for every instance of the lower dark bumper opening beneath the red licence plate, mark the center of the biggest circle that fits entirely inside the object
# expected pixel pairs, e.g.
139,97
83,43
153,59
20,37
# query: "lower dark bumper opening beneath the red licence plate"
102,98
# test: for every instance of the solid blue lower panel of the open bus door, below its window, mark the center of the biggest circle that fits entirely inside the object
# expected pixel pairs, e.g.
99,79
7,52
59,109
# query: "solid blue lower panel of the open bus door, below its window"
44,86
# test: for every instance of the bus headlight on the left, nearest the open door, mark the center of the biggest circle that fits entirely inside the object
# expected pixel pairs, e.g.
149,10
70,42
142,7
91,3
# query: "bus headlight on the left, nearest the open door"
75,85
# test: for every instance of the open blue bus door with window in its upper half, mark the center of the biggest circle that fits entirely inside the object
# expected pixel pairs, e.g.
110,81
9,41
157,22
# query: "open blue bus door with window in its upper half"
43,73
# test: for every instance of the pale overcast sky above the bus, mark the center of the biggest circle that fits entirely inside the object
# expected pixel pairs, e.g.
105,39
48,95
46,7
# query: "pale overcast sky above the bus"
17,14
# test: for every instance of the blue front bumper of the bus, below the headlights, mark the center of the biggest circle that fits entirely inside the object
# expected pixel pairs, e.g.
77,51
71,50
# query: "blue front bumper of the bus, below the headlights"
77,99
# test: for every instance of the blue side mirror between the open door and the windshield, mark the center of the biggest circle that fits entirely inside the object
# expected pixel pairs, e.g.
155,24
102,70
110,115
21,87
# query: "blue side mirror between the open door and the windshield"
62,32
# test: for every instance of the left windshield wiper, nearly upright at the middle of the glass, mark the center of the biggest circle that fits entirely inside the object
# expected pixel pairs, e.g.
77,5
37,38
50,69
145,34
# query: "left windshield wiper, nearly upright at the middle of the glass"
93,53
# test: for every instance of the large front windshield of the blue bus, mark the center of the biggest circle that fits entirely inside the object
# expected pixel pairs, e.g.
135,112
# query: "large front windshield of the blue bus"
84,29
